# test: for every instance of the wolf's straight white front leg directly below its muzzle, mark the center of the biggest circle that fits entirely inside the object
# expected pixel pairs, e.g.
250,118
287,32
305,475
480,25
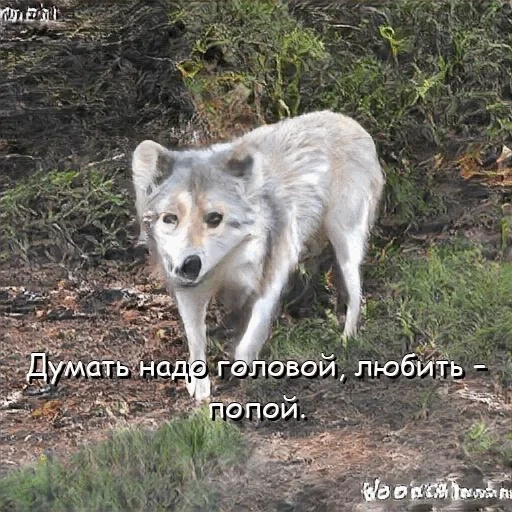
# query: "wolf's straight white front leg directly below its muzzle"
192,304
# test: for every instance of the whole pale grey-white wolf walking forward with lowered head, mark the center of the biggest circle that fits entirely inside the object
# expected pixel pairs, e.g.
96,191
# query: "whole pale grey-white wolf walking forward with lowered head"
235,219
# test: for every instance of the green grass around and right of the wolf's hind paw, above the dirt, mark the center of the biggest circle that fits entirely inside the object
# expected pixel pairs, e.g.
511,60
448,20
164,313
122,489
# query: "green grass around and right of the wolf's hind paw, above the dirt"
449,302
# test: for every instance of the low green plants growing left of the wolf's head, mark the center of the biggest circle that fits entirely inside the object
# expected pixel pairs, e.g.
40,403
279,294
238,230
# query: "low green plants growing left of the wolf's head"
80,214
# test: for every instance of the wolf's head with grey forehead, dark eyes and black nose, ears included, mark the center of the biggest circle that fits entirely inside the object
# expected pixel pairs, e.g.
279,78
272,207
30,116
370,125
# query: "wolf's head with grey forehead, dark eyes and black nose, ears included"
194,206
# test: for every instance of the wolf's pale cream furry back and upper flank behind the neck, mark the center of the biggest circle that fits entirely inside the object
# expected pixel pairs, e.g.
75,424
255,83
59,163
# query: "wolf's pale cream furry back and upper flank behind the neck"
318,159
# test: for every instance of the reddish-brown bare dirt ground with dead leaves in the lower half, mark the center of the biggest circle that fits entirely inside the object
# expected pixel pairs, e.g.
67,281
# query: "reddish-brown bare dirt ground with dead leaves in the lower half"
355,432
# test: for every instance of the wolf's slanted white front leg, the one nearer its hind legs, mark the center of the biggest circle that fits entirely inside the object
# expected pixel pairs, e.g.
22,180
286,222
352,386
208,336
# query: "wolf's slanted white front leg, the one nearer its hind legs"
262,314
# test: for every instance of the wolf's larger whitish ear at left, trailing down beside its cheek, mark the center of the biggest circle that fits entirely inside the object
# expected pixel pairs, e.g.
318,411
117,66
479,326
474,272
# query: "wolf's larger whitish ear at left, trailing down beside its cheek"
150,162
